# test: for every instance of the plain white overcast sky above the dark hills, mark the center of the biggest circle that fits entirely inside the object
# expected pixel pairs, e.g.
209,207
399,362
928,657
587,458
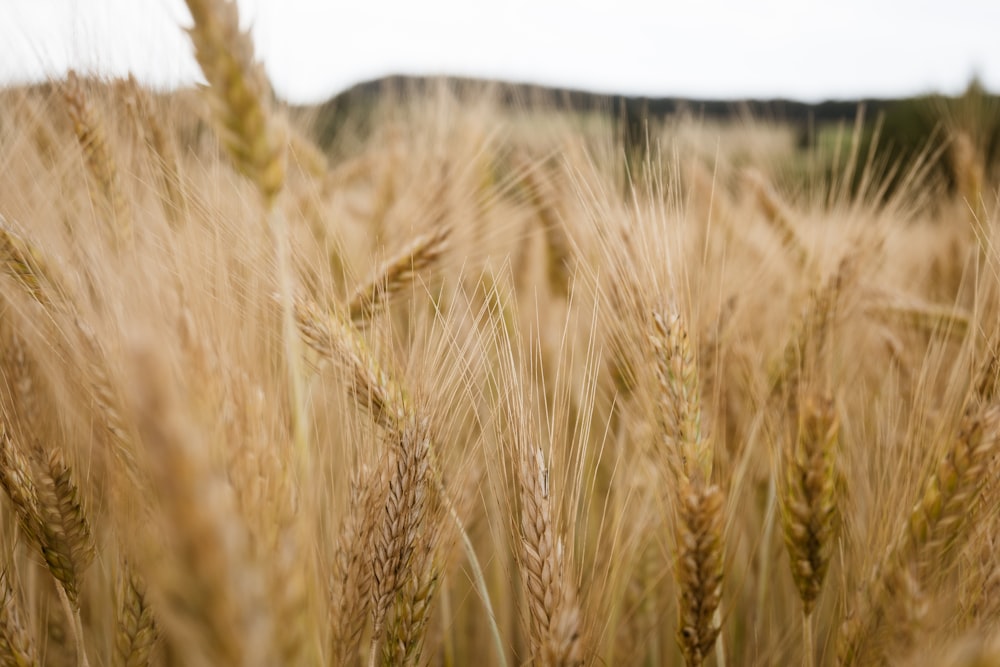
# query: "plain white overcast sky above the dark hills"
312,49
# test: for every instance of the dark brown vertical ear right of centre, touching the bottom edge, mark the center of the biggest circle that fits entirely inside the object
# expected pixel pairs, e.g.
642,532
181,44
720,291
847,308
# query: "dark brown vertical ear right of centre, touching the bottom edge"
700,566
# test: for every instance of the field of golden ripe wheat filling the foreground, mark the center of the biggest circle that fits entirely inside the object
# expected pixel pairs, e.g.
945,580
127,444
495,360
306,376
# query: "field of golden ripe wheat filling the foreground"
486,386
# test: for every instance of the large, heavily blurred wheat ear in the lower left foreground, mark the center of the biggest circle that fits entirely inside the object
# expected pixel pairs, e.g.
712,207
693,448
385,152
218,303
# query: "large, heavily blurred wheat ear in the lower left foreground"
206,588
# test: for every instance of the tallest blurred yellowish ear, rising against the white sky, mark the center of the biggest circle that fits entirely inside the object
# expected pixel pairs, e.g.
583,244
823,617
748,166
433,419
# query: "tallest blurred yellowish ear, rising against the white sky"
240,94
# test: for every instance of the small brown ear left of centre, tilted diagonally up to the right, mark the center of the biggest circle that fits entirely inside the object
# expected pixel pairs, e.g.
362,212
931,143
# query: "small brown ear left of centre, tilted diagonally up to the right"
396,273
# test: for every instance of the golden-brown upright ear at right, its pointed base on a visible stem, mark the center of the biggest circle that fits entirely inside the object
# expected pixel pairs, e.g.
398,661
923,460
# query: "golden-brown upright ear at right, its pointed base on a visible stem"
810,505
